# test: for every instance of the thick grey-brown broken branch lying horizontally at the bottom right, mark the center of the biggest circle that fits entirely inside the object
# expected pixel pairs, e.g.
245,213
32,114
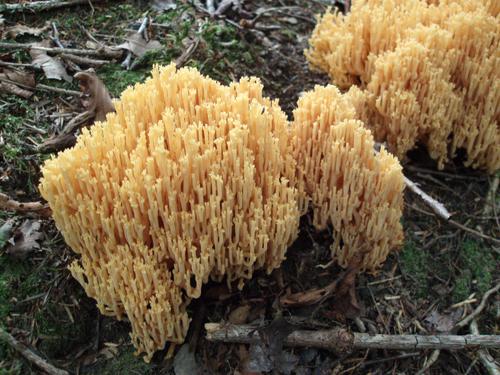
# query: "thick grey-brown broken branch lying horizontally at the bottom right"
341,340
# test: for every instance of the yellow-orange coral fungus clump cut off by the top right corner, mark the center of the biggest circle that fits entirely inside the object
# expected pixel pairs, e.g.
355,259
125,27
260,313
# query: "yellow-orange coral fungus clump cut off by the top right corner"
429,73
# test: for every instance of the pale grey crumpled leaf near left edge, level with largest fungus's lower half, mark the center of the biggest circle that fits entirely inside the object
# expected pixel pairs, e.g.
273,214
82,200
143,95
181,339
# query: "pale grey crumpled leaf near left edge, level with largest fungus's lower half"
25,239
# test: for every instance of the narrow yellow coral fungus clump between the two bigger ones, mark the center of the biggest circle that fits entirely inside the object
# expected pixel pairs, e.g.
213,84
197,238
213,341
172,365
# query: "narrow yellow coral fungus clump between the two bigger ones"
351,187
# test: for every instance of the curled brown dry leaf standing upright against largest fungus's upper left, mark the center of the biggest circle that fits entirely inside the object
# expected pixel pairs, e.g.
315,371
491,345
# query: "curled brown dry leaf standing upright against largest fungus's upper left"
100,101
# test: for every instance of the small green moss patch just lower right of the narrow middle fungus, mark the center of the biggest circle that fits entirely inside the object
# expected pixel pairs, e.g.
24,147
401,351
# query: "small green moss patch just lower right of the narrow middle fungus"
415,266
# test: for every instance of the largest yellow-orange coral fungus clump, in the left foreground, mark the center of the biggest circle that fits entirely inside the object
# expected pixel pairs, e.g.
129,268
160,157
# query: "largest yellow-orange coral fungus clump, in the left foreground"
186,181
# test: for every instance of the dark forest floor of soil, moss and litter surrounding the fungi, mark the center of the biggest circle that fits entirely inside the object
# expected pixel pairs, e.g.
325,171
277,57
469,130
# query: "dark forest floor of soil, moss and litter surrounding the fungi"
439,275
